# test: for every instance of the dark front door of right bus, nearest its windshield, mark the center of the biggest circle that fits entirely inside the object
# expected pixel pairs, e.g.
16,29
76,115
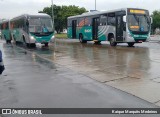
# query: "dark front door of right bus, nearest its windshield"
119,28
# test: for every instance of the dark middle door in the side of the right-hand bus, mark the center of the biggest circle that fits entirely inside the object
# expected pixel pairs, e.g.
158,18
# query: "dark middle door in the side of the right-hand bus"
95,28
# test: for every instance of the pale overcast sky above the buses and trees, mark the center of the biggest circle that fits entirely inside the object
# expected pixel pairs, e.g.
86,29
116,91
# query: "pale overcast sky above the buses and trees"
12,8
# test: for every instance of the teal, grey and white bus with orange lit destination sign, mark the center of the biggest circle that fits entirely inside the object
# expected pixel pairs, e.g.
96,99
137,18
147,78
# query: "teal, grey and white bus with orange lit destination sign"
128,25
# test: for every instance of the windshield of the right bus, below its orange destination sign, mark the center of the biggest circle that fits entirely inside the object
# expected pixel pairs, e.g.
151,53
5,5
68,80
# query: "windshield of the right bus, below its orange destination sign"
139,23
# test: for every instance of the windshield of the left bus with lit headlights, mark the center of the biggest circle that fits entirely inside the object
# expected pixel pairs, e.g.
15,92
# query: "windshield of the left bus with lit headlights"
40,25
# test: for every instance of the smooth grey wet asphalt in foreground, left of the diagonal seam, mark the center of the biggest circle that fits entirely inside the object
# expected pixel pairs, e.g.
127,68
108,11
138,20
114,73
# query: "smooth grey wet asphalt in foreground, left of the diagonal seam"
32,81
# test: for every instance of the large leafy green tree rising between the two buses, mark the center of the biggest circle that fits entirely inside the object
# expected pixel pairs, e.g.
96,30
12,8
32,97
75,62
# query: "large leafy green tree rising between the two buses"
61,13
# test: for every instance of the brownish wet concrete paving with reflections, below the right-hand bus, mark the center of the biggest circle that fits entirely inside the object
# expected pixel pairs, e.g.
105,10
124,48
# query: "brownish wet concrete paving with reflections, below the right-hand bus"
134,70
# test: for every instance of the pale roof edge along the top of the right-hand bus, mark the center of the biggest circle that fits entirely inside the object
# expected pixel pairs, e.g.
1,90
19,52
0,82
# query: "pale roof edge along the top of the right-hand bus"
101,12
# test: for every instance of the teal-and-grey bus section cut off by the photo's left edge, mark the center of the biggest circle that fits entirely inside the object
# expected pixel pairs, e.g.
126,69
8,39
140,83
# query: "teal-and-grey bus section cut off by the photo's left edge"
5,31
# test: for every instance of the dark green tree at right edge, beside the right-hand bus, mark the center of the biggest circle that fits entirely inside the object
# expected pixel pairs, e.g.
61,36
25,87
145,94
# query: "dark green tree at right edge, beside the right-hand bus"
156,19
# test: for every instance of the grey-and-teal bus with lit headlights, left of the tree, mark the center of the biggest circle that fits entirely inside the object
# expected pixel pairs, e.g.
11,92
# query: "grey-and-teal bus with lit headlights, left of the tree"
32,29
